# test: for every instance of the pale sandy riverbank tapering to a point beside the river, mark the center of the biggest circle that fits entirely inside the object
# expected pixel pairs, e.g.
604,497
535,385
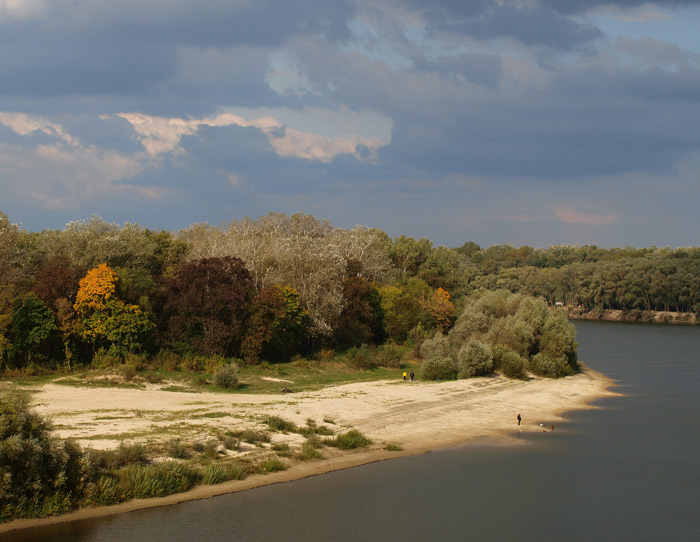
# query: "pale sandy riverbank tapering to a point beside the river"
416,416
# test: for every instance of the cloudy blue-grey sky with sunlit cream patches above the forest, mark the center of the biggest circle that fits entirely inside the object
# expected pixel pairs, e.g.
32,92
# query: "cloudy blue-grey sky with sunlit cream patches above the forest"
526,122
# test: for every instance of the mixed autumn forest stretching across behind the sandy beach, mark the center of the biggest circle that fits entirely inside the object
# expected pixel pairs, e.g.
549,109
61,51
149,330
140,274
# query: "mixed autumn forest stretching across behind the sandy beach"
95,293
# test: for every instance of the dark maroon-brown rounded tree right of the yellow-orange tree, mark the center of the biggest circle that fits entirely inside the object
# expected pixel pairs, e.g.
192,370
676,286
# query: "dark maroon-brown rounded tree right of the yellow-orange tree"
206,305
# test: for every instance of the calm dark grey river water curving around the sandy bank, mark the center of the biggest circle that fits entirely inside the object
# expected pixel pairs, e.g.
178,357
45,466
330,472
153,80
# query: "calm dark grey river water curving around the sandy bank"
628,470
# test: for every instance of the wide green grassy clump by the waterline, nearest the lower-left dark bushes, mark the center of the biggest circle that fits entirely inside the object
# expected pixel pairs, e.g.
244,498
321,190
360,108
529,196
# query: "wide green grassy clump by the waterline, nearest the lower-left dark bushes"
158,480
